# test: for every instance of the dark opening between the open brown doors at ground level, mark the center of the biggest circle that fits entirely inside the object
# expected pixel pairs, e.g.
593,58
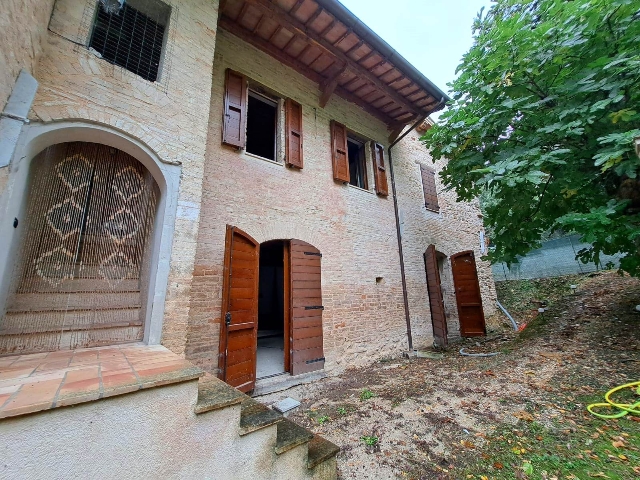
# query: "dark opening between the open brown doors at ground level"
273,310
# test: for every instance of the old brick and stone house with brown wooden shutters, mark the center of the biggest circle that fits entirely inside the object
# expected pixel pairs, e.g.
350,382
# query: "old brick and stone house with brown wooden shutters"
229,181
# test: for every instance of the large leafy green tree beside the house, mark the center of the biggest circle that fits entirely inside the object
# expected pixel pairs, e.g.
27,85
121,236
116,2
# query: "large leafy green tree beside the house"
543,118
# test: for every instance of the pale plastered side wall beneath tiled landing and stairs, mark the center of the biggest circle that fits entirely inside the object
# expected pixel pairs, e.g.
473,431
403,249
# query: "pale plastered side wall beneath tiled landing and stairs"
153,433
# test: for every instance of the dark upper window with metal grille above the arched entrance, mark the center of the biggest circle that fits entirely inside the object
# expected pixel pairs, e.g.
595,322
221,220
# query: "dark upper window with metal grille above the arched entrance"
131,34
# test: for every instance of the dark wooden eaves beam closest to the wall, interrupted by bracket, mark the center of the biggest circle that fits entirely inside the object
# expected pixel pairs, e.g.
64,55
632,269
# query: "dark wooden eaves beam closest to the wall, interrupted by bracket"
231,26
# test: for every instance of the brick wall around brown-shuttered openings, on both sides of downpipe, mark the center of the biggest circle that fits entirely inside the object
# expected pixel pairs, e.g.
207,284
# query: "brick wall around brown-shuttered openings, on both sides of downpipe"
354,229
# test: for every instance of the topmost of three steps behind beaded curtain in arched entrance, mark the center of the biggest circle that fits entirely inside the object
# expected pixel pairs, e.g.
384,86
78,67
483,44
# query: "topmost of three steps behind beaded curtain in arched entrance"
38,302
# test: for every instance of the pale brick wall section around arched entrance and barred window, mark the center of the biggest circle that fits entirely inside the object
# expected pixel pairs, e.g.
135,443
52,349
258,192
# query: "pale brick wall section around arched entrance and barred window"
169,116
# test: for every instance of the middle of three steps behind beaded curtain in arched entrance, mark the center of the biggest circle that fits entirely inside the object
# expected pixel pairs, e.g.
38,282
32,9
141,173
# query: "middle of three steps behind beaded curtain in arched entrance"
24,323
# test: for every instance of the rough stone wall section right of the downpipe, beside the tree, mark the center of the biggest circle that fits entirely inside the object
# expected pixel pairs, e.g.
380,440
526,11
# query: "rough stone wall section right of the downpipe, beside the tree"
454,229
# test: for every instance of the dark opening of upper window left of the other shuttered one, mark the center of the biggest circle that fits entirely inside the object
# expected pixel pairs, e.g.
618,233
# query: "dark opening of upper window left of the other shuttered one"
261,126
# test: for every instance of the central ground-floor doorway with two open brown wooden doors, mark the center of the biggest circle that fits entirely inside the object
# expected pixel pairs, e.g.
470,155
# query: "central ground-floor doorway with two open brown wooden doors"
271,309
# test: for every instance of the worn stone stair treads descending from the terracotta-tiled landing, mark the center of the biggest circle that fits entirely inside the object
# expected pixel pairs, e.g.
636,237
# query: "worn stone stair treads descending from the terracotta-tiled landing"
318,453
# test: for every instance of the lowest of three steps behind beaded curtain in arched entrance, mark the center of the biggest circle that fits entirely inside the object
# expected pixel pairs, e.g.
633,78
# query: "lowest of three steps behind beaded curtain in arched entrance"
67,340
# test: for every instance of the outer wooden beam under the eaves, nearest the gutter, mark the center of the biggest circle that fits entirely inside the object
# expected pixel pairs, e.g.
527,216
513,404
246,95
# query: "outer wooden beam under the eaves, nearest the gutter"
291,23
